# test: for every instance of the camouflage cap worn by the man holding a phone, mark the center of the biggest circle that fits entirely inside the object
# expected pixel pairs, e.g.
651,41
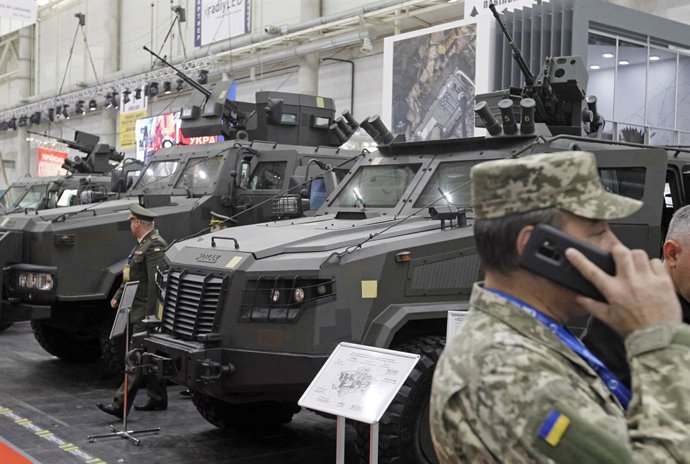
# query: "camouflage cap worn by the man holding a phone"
566,180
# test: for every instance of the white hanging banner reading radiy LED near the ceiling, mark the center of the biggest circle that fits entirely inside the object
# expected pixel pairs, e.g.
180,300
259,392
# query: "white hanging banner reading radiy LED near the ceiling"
216,20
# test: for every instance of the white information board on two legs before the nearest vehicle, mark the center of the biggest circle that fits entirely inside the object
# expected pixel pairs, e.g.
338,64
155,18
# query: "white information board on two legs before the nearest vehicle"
358,382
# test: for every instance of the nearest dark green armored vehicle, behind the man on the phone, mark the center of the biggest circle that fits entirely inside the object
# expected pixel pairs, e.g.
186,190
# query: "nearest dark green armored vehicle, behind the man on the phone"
250,314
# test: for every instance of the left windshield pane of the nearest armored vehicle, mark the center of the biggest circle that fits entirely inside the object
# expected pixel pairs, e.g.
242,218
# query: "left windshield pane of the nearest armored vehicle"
376,186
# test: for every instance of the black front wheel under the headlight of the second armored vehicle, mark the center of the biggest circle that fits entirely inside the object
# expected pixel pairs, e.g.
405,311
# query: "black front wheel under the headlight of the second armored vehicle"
67,346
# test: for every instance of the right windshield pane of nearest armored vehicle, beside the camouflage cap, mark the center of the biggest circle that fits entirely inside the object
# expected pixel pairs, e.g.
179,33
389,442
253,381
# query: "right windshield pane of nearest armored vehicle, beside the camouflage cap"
450,185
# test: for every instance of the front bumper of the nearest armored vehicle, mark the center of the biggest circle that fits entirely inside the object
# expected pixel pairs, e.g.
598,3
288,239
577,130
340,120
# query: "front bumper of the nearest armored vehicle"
231,374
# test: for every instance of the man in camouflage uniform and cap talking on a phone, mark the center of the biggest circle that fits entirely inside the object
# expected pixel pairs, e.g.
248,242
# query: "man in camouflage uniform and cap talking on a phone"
515,386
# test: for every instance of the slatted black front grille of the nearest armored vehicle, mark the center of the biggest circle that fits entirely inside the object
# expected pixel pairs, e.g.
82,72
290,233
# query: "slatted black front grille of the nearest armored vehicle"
191,301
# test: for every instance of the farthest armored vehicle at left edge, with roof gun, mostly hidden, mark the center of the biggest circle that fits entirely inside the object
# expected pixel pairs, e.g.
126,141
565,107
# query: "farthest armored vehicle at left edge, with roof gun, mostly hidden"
86,181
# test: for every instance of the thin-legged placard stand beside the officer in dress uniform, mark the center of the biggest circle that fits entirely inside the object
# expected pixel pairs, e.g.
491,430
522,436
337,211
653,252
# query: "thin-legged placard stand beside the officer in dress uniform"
120,325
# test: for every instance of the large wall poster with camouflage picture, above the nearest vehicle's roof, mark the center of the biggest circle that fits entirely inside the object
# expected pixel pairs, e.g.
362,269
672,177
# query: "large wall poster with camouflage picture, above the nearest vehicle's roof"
436,78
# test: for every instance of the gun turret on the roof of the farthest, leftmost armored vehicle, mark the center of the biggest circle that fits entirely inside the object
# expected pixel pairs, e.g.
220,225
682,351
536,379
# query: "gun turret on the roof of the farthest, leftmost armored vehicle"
98,155
